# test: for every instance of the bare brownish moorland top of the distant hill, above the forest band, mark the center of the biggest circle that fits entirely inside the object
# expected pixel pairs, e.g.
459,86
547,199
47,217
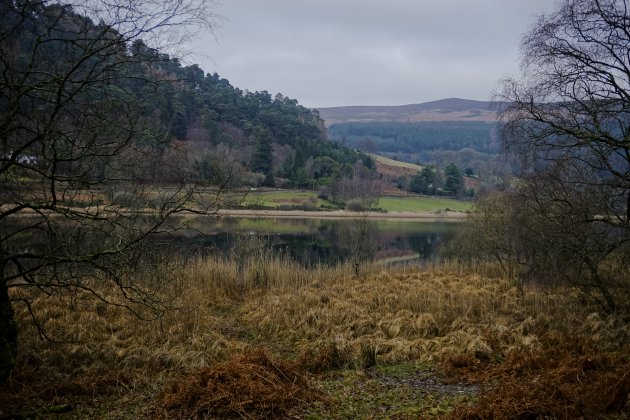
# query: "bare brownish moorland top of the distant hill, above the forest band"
452,109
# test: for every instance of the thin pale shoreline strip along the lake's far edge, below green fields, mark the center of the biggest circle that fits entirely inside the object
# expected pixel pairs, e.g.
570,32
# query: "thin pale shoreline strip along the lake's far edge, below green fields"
345,214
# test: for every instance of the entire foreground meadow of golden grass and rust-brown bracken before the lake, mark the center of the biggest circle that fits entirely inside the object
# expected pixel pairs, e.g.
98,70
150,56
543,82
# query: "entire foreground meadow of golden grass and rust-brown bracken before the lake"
271,339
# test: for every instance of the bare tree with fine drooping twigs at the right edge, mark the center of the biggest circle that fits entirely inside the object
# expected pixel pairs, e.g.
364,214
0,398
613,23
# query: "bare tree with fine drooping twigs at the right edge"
567,128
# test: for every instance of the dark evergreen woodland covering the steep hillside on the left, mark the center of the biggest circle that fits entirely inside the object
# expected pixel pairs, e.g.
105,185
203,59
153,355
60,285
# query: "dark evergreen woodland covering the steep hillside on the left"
203,121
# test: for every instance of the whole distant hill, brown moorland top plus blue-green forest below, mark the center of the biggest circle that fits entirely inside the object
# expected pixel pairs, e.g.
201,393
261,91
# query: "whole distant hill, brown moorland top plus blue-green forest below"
459,131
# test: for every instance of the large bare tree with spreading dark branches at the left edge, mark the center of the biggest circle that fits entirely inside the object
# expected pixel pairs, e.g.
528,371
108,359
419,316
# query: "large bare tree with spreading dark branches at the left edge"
80,151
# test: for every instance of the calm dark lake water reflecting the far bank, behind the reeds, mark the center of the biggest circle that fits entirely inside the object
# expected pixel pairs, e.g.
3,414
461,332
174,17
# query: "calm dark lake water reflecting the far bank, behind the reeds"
314,241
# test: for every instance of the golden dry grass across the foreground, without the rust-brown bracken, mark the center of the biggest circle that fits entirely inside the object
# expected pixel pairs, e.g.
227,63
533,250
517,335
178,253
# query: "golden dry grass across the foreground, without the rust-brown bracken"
328,317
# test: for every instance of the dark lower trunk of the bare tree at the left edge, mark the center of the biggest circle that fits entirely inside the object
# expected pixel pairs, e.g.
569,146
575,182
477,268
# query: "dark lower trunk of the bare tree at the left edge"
8,334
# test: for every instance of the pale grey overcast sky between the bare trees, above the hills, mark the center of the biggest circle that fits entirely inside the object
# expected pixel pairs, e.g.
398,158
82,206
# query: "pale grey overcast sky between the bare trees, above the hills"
368,52
